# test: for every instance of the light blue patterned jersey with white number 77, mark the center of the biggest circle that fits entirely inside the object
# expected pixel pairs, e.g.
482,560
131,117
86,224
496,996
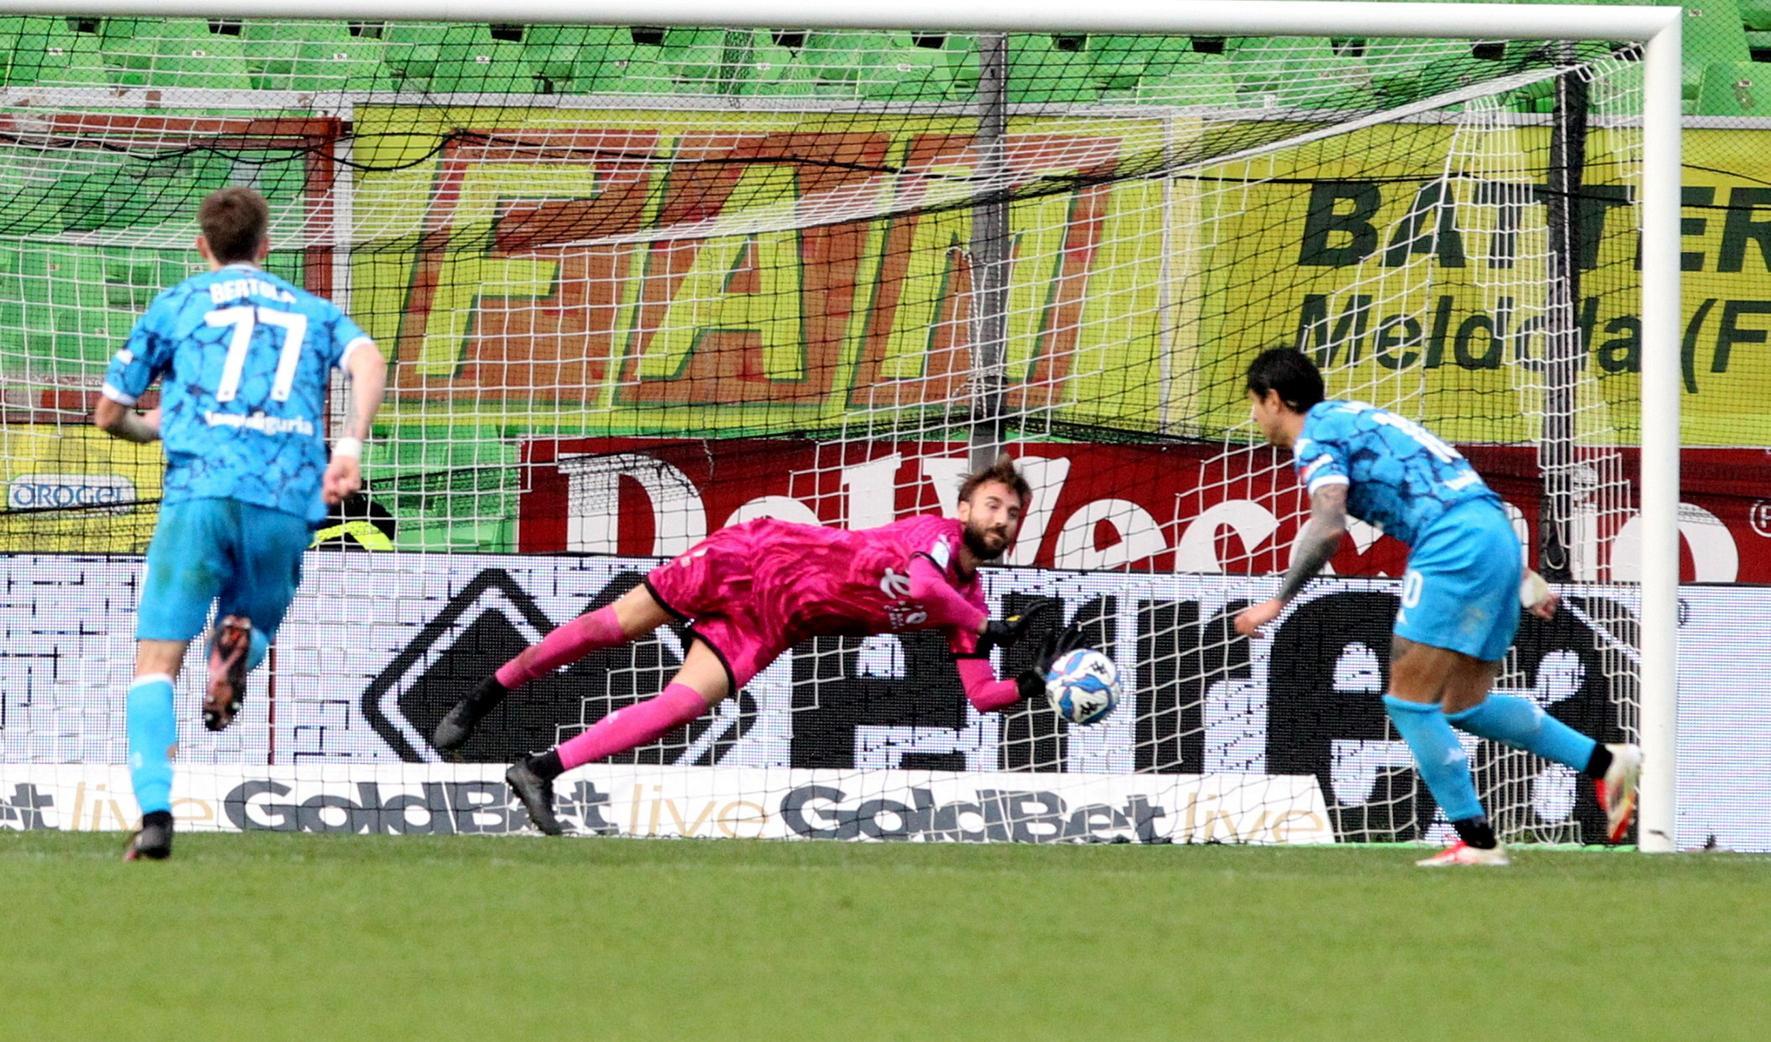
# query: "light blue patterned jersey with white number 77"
245,361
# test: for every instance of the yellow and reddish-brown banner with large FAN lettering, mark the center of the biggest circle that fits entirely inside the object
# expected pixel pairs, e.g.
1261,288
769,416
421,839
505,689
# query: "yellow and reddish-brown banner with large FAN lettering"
746,274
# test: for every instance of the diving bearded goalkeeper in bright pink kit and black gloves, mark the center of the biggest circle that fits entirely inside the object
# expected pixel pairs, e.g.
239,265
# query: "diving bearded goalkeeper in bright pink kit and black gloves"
757,589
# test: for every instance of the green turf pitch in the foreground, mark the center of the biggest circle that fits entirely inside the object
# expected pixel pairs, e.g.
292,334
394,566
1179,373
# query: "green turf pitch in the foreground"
284,937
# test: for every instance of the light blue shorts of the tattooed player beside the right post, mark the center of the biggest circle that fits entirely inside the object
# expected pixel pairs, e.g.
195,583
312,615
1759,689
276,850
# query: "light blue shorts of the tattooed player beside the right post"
1462,589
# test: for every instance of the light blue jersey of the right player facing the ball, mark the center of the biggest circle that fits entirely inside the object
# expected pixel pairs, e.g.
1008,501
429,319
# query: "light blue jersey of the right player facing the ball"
1402,478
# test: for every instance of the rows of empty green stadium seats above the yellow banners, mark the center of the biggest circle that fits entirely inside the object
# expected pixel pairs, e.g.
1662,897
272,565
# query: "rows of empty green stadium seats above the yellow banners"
876,66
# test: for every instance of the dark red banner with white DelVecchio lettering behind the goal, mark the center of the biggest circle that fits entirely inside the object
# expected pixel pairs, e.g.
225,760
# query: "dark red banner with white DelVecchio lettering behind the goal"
1141,508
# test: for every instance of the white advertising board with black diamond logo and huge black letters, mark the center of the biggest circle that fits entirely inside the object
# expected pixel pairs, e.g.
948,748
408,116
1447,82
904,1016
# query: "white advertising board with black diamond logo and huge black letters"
378,648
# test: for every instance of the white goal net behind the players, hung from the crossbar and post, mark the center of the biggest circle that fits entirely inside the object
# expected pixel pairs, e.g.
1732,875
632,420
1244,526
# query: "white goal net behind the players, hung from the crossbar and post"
644,283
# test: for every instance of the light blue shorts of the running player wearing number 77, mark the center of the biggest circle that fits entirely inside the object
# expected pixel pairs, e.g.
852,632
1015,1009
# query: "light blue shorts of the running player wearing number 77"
220,550
